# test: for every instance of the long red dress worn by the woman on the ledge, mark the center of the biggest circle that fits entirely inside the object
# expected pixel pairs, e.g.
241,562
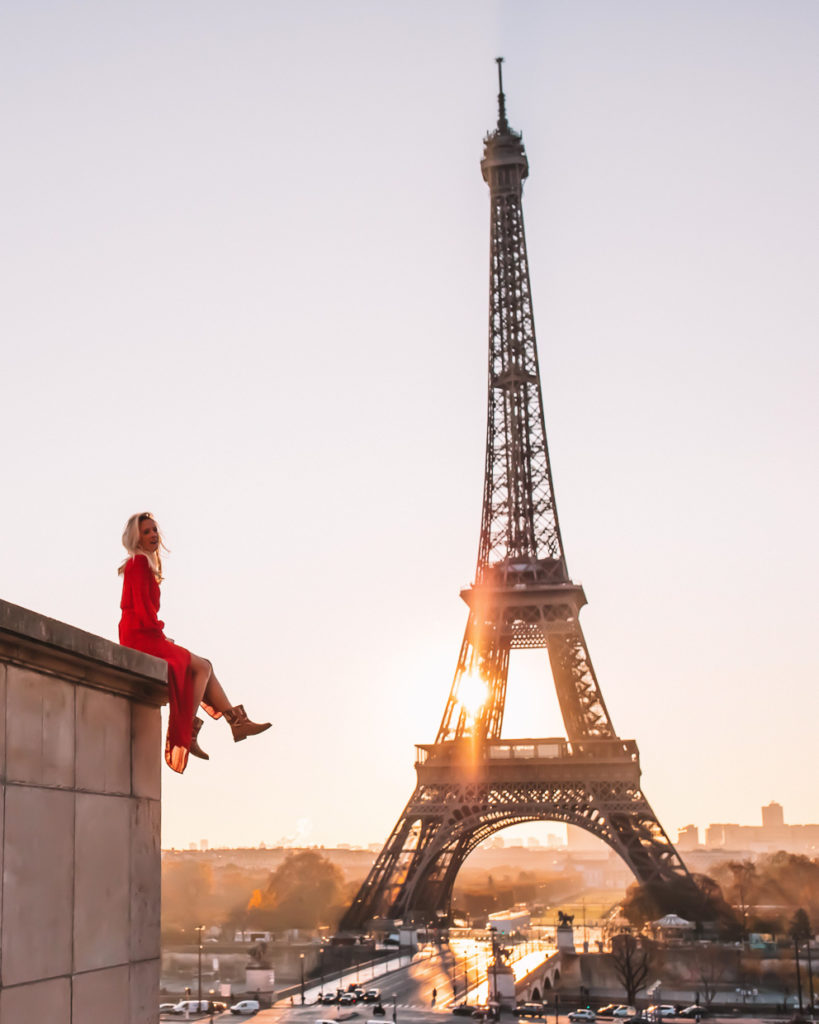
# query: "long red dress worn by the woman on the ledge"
142,630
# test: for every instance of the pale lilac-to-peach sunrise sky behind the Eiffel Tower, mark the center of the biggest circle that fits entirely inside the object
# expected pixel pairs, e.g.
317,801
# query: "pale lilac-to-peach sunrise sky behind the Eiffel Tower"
244,285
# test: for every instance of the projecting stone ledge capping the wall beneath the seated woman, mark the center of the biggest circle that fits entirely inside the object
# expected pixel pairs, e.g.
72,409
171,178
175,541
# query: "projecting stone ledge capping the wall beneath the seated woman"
49,646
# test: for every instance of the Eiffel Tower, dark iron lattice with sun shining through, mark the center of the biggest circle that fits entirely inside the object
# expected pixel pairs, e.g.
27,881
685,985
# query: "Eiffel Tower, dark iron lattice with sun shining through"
472,782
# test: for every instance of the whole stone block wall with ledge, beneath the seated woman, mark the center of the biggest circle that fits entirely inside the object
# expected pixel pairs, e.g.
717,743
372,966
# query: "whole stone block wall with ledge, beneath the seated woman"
80,787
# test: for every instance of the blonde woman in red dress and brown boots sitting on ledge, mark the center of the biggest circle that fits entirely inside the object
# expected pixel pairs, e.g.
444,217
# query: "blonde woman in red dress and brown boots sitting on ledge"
191,679
